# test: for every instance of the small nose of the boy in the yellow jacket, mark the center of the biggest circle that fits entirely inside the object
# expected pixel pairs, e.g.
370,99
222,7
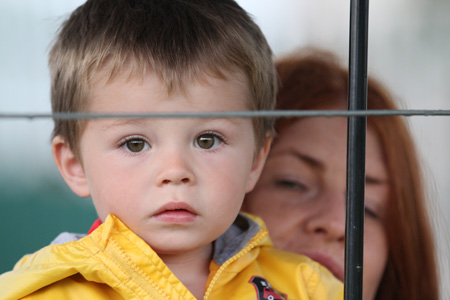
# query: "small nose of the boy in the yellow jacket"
175,169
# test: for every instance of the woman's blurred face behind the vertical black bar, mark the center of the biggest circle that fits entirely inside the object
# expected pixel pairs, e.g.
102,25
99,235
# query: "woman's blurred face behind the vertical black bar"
301,196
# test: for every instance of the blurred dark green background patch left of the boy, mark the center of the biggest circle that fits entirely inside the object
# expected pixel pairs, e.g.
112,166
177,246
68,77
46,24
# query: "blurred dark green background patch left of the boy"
31,216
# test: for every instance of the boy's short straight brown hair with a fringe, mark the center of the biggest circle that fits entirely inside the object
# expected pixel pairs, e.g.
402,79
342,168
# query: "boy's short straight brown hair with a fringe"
179,40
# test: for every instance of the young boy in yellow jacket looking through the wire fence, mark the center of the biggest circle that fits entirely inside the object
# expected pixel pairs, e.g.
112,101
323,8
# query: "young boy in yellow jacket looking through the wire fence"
168,191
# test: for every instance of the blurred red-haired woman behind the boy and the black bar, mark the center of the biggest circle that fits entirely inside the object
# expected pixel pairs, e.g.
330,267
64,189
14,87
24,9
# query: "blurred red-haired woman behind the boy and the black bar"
301,193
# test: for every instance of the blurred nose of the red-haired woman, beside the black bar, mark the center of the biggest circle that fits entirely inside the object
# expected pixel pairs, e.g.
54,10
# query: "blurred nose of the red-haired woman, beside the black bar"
328,219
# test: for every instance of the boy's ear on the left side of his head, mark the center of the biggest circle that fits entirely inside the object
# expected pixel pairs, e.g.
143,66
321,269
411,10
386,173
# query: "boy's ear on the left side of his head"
69,167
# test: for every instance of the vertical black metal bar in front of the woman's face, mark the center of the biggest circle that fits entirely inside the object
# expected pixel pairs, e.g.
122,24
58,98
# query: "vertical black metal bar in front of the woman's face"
356,150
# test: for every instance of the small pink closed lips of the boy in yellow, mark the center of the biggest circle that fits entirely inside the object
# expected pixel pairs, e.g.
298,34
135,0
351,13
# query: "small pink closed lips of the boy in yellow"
176,213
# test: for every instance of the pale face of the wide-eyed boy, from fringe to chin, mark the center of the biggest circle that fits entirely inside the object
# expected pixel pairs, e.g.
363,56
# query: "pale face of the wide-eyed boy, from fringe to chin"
177,183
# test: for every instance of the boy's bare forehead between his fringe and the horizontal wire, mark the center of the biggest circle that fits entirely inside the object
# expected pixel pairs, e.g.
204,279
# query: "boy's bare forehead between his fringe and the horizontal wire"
210,92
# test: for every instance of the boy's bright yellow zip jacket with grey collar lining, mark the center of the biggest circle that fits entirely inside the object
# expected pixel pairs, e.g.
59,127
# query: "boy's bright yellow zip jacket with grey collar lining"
114,263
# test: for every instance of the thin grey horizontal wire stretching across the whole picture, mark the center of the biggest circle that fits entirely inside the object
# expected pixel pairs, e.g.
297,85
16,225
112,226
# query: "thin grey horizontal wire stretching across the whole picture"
228,114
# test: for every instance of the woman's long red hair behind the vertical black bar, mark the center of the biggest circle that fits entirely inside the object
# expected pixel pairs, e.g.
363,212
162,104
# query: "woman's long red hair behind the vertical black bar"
314,77
